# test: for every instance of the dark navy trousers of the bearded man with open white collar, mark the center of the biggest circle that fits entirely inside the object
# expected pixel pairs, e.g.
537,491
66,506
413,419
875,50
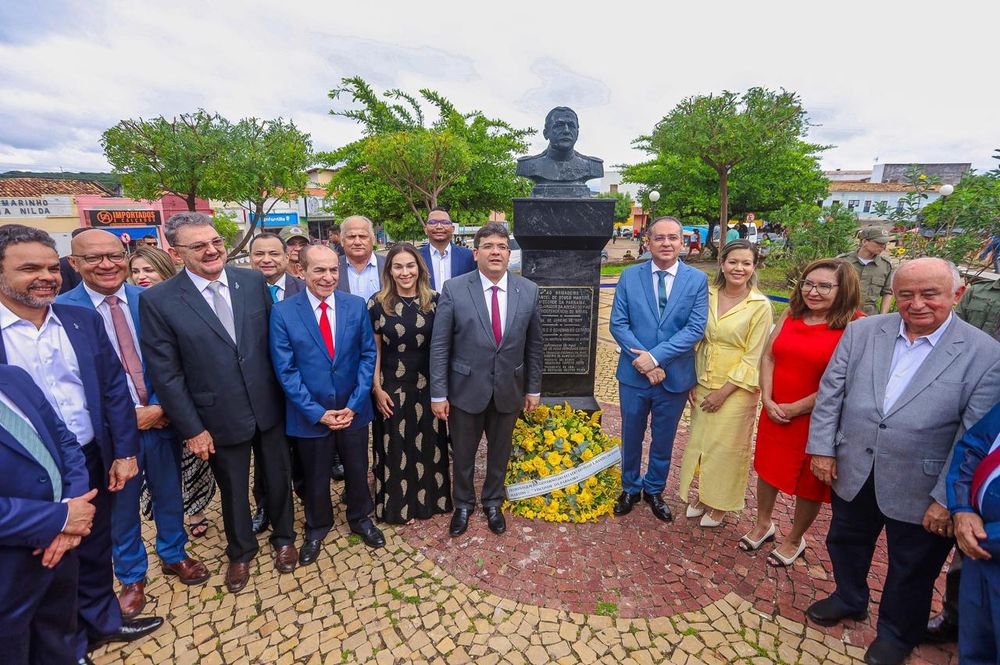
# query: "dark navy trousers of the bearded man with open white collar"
99,612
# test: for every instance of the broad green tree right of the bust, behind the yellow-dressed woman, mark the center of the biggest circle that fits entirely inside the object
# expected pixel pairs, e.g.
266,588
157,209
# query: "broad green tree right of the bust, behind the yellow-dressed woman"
741,152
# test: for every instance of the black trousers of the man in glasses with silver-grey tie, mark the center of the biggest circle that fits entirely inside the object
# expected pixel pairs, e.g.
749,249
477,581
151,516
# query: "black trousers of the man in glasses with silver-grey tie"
231,467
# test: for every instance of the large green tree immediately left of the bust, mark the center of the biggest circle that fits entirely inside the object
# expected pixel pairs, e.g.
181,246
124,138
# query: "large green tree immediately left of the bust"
488,183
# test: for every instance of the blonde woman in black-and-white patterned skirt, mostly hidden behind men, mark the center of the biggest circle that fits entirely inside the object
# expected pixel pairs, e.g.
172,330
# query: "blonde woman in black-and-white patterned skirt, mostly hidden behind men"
148,266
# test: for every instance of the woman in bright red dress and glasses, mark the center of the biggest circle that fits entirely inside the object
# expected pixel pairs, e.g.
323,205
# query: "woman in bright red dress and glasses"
797,353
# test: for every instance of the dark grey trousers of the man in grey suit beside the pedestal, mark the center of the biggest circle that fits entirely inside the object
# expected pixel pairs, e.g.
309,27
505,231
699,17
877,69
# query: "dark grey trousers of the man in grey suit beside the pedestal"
467,430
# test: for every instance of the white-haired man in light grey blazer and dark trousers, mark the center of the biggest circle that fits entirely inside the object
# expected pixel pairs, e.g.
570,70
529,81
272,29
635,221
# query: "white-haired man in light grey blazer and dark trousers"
899,391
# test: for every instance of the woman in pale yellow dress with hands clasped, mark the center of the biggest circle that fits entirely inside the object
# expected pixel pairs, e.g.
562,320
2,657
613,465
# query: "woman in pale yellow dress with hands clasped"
724,403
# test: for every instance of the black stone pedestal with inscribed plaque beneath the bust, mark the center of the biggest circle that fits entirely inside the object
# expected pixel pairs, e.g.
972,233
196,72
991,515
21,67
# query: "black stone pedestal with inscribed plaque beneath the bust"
561,241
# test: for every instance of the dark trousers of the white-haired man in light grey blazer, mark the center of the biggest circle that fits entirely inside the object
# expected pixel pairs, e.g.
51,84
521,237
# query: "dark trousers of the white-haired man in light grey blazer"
915,559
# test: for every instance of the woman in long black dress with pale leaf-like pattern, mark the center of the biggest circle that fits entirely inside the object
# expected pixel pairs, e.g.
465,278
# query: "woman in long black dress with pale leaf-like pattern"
410,445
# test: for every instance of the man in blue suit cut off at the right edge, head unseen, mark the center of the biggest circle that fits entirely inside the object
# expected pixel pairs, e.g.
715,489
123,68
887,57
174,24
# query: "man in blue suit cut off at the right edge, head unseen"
974,502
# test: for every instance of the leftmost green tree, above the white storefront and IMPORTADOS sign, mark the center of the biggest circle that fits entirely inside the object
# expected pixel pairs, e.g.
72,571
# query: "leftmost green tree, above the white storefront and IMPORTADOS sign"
177,156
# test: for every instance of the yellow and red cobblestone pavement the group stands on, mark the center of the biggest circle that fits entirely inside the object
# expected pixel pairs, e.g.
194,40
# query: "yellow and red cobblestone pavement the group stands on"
628,590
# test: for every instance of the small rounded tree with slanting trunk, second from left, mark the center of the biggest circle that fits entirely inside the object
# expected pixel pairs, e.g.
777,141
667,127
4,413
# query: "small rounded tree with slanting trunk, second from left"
265,161
